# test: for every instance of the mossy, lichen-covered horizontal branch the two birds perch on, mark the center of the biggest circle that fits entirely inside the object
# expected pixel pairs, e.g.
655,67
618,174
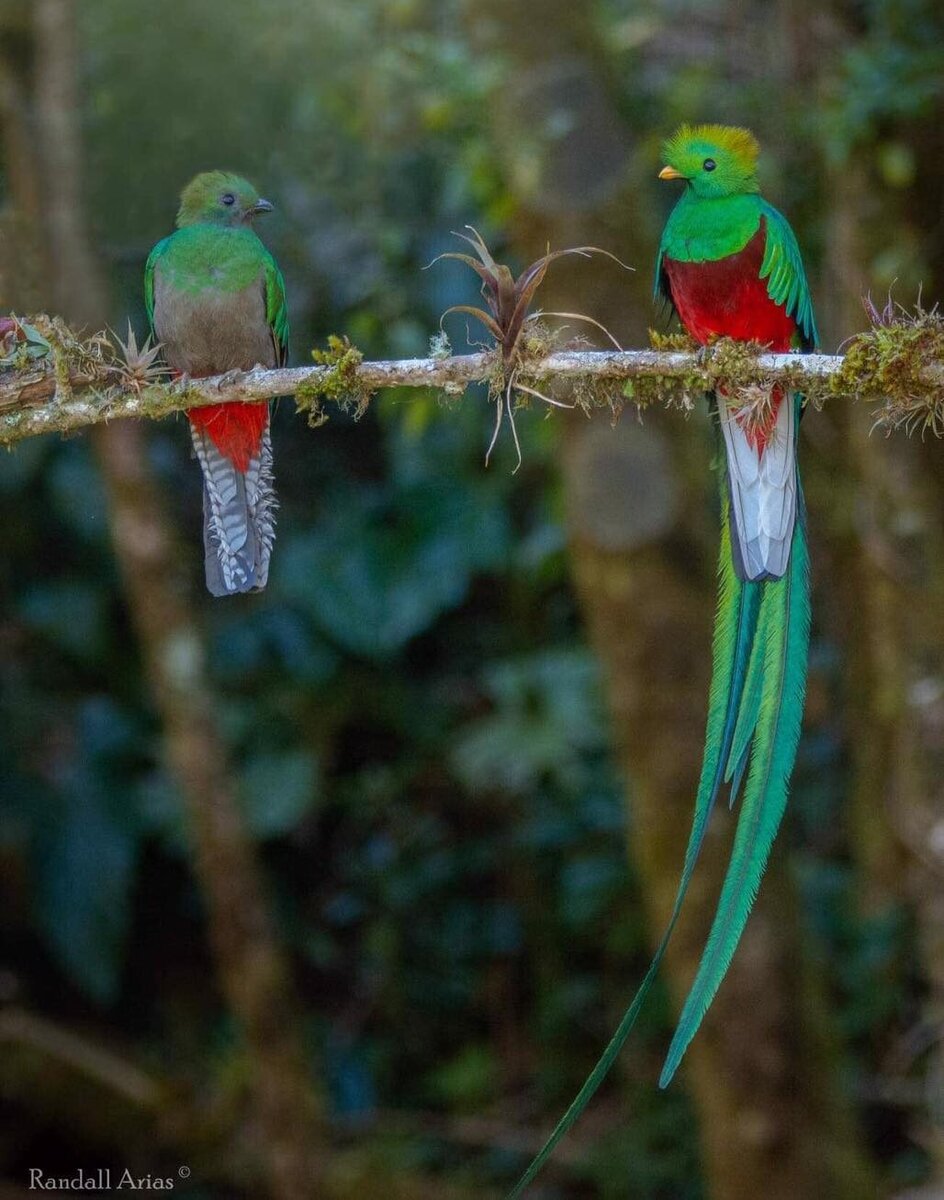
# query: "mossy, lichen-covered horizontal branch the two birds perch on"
52,381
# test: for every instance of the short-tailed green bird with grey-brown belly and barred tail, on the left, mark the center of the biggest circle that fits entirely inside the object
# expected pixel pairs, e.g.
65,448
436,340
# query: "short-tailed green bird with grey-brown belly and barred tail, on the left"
217,302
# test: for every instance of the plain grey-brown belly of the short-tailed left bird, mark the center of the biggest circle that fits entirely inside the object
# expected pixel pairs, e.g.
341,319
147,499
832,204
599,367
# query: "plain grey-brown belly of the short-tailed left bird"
209,332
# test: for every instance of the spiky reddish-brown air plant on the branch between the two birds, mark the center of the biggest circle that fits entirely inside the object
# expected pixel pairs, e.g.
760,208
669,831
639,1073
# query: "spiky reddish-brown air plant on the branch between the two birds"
509,302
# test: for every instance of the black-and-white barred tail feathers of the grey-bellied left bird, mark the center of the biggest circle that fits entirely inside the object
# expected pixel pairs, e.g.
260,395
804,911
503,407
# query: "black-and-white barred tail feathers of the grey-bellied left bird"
238,518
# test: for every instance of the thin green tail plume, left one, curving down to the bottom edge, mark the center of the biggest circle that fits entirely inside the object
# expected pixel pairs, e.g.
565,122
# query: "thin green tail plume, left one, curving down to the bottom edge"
738,608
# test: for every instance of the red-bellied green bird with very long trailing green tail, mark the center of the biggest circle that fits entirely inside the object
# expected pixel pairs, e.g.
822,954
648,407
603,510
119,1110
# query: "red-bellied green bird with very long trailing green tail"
730,266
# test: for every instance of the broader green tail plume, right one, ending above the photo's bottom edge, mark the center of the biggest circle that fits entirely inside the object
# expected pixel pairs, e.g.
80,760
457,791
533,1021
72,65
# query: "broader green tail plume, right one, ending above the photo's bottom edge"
784,632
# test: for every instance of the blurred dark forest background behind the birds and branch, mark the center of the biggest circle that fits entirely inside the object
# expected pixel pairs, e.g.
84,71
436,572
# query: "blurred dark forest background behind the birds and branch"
340,891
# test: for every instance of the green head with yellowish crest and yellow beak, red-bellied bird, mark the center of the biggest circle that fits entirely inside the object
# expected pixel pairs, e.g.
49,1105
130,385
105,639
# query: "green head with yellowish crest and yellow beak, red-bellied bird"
715,160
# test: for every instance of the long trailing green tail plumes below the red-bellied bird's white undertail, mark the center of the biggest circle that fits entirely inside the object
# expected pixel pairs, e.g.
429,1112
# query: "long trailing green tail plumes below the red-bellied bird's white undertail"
759,680
